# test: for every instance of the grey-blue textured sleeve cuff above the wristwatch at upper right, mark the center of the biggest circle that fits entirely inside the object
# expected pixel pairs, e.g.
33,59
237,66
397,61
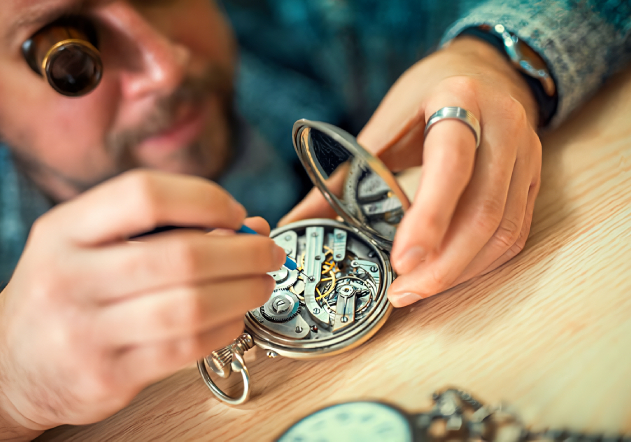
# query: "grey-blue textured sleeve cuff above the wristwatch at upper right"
582,42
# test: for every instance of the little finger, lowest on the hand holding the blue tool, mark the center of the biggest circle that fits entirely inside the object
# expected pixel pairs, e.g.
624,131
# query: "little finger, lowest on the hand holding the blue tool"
139,366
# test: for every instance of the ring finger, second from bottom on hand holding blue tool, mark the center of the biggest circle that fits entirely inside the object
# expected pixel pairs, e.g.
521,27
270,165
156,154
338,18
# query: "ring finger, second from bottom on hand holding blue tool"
181,312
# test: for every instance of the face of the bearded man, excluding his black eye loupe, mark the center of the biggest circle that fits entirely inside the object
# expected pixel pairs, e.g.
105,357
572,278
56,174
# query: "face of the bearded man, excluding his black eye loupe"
163,102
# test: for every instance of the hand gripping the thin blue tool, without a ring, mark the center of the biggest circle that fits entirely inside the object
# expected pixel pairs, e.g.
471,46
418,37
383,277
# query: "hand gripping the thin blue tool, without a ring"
89,319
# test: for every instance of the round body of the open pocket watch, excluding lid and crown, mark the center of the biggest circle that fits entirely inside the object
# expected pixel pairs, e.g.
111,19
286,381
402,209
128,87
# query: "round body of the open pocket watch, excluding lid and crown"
333,301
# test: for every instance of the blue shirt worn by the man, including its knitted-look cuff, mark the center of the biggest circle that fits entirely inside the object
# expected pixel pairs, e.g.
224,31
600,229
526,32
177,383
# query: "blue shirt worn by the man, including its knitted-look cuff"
334,60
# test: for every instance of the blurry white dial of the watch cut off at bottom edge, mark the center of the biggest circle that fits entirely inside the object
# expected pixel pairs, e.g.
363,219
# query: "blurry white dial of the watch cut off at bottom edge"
352,421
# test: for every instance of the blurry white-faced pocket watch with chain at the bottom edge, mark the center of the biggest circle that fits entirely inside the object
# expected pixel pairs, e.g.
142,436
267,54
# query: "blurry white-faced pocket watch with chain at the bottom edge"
456,416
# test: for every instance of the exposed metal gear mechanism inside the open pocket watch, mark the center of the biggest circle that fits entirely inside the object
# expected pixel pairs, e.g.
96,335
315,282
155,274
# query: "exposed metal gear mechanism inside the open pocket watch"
336,288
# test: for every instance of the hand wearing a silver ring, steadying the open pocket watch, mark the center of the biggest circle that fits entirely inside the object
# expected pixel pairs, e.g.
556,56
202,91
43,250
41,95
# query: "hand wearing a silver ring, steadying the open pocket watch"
472,211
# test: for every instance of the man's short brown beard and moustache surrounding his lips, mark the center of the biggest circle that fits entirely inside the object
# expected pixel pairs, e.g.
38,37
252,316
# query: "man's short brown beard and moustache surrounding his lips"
205,157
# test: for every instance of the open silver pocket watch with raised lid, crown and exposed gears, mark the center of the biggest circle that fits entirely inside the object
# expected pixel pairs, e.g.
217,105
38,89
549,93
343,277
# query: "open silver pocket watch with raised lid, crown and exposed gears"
336,299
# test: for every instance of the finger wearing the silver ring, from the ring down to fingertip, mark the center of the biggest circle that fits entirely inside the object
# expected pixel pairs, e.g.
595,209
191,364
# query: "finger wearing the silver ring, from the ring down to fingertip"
449,155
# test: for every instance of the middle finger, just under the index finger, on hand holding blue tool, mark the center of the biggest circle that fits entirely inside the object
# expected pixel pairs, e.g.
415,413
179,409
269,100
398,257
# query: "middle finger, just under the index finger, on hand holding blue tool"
176,258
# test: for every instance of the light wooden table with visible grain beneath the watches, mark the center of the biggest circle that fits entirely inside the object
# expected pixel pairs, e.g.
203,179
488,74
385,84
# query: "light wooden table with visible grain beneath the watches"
550,332
